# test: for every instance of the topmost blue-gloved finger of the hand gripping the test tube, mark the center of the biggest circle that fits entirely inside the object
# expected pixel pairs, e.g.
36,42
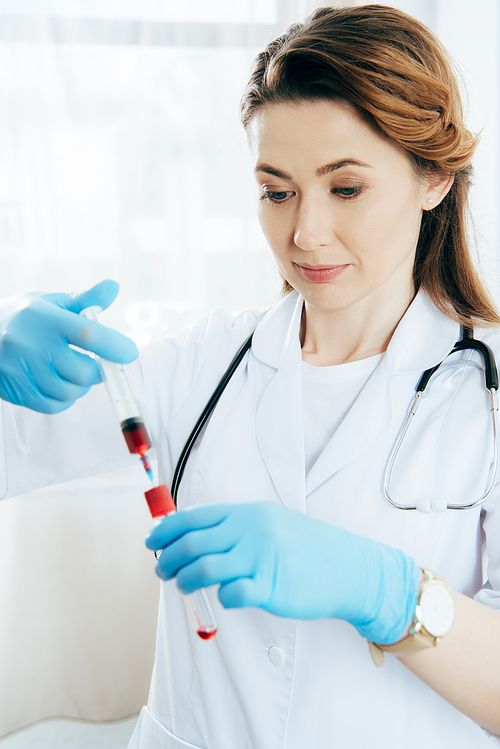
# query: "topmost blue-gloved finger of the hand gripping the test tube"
176,525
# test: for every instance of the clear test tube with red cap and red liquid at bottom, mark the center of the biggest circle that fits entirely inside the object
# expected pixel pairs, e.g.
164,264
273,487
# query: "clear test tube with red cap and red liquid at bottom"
198,607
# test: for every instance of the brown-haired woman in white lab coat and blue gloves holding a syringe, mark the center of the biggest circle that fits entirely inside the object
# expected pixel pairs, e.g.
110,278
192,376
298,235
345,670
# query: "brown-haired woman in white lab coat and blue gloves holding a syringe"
363,166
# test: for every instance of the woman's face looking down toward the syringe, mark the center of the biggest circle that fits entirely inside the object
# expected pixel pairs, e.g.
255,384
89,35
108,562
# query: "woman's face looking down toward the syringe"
339,204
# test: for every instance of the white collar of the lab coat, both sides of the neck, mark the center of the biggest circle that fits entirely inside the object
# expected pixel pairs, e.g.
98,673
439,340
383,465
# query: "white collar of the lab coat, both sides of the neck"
422,339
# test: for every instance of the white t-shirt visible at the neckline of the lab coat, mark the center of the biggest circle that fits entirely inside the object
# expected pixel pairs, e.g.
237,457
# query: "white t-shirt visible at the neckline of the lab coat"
327,396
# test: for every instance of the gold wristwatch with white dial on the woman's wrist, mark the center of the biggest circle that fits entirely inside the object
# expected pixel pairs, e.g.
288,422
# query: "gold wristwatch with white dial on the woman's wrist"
433,619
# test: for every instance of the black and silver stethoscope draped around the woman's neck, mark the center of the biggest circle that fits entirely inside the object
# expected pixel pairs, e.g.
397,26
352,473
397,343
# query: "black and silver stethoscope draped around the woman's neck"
467,341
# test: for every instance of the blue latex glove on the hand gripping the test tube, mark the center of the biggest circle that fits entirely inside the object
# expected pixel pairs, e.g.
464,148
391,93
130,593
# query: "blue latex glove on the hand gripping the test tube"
265,555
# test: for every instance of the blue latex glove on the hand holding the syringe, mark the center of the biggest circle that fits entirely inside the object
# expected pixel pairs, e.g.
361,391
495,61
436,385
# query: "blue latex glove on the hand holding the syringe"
38,369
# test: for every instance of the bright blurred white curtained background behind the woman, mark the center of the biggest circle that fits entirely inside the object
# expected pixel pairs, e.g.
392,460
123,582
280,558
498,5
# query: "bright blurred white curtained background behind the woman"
122,156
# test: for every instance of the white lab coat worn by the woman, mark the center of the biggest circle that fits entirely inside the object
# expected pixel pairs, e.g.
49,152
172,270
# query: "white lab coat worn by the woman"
267,682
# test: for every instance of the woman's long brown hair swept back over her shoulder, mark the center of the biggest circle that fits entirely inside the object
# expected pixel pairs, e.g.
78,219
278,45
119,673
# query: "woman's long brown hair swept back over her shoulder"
399,77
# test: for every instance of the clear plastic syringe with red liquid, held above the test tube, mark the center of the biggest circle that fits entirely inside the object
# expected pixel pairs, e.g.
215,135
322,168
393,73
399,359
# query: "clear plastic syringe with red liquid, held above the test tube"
124,403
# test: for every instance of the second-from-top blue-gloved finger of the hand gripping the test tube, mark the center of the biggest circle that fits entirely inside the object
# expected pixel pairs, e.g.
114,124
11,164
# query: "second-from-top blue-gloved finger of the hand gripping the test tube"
193,544
